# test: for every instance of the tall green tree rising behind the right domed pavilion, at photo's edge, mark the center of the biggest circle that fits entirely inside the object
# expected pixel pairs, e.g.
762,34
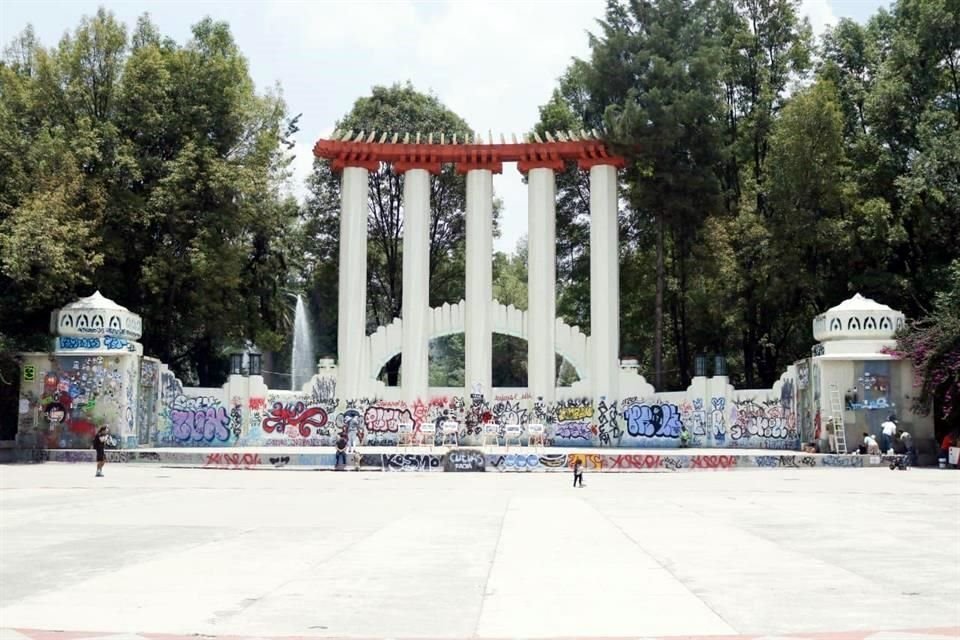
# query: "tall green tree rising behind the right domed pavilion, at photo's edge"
900,89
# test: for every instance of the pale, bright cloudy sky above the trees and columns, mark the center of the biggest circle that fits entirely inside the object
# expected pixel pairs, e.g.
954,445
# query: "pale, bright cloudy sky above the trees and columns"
493,62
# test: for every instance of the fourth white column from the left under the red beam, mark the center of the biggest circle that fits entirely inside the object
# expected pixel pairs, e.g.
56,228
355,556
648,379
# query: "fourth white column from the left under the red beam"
542,284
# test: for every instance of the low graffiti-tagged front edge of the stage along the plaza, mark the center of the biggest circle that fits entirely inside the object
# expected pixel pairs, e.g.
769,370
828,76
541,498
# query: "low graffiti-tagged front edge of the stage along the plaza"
463,460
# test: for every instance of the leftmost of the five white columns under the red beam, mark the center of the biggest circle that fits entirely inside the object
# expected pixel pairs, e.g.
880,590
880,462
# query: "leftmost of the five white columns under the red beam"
352,296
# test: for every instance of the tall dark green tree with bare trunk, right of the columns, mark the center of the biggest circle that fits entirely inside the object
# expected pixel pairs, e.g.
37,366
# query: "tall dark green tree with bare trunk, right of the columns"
655,67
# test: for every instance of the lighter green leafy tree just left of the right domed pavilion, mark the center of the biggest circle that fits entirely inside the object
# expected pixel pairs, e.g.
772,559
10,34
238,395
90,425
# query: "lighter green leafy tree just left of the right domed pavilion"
786,263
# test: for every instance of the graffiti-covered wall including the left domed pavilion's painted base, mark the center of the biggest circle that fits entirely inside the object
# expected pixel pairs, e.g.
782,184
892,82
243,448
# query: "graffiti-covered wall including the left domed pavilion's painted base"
144,404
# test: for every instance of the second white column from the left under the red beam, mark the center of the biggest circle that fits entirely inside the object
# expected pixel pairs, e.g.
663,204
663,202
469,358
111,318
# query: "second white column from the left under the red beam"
416,284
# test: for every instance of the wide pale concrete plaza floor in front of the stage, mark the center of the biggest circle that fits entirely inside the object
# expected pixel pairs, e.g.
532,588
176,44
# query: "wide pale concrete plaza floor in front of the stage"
393,555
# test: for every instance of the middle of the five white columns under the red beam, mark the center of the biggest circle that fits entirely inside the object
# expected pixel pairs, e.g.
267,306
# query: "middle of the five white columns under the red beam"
478,329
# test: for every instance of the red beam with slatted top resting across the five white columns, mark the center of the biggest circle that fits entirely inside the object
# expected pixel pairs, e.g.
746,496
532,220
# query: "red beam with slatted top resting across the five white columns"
528,155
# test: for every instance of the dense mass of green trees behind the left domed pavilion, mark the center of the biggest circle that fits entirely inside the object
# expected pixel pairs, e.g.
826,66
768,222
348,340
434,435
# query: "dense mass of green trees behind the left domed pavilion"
151,171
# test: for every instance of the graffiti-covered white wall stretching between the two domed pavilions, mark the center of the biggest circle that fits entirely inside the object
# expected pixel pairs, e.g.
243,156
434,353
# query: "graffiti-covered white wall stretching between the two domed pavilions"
192,417
